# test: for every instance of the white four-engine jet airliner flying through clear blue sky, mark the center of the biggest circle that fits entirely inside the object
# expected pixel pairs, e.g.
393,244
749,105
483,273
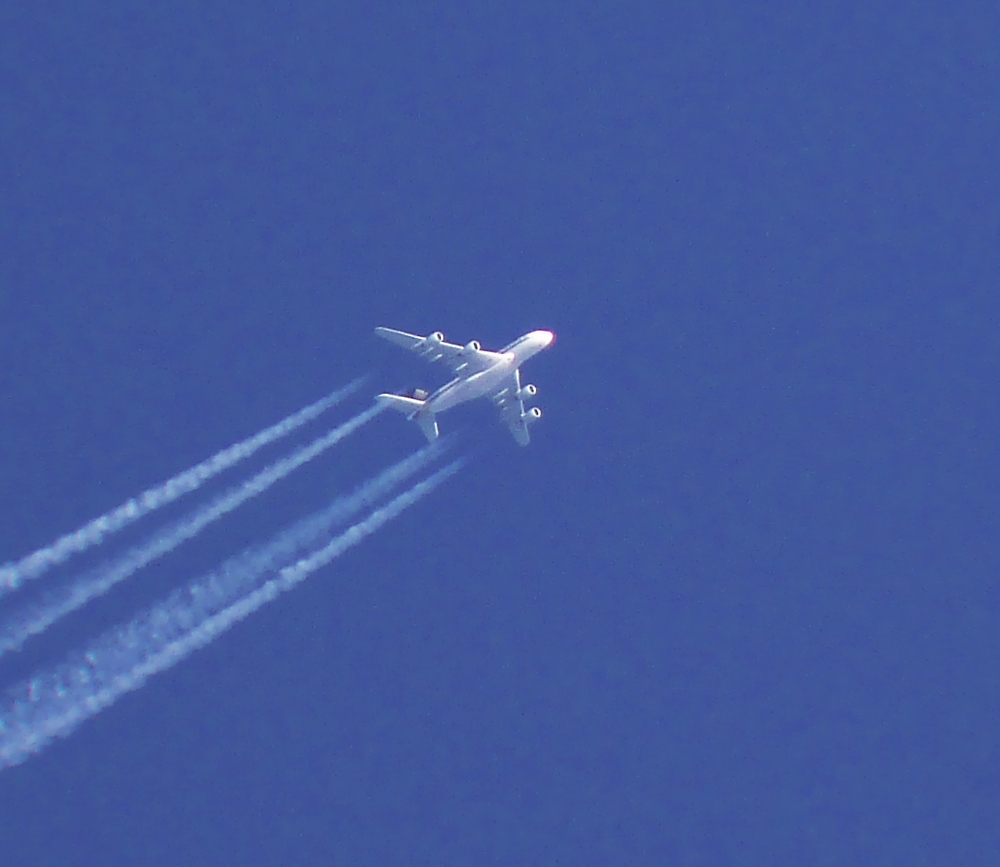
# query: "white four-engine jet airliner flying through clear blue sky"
478,373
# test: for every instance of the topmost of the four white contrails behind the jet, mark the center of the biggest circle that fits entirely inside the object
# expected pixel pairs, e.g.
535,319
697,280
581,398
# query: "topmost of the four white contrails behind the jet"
13,574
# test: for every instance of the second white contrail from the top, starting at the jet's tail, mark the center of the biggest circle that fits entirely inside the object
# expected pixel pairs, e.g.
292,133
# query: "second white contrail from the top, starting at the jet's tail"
36,617
